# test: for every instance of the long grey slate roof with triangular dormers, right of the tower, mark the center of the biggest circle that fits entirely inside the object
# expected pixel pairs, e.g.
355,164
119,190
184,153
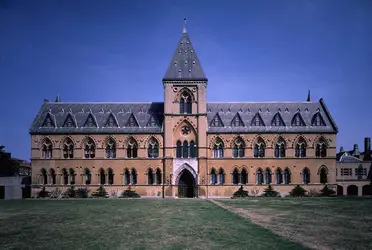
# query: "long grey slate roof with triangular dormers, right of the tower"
267,111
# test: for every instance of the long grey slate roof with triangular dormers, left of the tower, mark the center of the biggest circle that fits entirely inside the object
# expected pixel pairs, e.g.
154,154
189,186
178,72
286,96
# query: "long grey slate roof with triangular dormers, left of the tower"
101,112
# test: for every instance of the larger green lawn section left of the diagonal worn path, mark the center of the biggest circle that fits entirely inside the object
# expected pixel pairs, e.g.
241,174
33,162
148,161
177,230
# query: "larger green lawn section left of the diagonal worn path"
130,224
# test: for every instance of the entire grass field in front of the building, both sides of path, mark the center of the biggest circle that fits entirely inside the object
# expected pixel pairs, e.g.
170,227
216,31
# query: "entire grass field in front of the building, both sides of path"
185,224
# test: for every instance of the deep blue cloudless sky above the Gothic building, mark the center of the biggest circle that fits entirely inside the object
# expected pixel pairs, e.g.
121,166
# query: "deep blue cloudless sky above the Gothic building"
250,51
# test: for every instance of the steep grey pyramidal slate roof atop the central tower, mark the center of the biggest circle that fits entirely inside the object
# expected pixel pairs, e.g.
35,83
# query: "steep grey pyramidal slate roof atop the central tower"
185,64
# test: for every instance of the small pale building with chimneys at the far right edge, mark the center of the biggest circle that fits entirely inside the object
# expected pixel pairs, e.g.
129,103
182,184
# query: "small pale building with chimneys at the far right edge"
354,170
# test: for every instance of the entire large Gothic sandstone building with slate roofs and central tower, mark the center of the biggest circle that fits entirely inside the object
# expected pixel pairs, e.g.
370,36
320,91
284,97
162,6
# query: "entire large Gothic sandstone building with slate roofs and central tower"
184,147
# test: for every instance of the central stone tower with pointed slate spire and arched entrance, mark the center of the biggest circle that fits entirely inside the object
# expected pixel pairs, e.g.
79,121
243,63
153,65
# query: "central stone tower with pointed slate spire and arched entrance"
185,118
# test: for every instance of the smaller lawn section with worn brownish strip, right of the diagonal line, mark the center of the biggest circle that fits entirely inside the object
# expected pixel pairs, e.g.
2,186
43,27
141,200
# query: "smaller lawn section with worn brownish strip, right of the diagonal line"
322,223
